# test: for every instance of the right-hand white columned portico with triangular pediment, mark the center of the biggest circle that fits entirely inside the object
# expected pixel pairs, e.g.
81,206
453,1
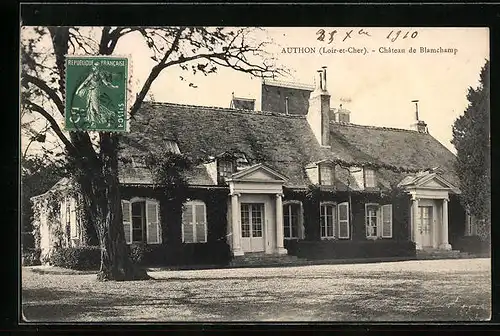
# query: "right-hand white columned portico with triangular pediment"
429,210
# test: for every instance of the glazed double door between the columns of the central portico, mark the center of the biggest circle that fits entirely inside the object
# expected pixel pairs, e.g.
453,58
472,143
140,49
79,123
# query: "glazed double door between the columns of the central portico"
252,227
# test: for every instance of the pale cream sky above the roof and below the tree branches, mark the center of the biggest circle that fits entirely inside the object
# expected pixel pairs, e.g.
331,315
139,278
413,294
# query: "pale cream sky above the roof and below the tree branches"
377,87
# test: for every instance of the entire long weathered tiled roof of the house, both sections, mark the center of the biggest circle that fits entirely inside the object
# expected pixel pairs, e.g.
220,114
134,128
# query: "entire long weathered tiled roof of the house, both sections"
282,142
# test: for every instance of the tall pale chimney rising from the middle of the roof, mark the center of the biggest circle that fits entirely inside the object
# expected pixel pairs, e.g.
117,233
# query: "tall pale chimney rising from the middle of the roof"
318,114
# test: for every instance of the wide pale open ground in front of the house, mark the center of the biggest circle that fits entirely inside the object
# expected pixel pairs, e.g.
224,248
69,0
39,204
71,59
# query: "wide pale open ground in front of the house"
430,290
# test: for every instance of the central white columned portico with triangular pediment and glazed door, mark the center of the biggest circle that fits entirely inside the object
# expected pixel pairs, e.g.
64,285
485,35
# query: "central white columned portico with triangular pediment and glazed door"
256,211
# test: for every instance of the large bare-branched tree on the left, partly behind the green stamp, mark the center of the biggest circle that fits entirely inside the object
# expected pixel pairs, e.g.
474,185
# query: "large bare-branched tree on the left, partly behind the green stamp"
93,156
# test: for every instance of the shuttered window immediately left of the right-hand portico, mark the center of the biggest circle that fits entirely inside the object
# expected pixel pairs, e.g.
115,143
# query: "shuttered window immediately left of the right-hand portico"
378,220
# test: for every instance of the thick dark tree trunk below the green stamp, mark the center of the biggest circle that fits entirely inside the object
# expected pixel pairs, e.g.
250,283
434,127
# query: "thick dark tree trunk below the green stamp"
101,195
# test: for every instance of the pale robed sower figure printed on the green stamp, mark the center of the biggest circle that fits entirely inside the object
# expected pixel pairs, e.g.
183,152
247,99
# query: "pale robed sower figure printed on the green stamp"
90,91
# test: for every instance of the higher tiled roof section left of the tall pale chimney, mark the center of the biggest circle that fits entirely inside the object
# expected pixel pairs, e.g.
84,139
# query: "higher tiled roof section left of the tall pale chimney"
284,143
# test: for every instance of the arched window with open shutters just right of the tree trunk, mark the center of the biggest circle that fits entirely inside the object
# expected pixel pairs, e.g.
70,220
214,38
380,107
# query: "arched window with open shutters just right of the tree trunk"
141,222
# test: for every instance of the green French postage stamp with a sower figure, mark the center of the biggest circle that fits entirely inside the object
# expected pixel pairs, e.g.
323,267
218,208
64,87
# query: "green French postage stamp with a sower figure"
96,93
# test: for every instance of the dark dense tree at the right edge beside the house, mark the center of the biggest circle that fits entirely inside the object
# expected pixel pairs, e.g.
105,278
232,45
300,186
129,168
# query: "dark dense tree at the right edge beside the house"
471,138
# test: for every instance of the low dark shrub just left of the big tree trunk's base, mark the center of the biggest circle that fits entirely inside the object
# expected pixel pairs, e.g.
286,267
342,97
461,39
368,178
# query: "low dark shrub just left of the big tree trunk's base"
78,258
